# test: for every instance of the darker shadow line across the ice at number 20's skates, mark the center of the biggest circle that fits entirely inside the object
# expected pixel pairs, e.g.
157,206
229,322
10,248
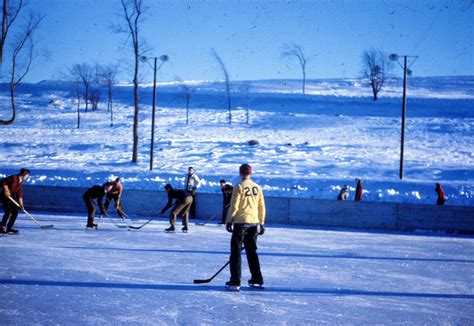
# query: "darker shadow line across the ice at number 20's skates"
207,288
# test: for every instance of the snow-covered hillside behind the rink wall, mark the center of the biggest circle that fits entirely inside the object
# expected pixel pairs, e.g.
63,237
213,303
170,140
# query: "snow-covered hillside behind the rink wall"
310,145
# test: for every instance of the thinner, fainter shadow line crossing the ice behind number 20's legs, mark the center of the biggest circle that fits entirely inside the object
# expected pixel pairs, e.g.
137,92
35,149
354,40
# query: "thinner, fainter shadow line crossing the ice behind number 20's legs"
287,254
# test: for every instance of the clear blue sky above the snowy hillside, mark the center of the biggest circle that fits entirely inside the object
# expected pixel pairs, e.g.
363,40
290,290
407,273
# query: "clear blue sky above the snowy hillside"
249,35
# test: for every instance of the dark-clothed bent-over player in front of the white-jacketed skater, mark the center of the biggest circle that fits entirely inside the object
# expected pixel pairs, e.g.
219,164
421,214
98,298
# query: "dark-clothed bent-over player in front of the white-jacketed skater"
181,207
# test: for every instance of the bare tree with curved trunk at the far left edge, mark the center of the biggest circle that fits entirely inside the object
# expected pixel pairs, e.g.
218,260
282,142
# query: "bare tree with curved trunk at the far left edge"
22,59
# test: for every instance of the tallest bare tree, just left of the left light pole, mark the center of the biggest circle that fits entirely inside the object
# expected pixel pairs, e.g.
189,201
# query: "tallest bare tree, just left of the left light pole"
133,16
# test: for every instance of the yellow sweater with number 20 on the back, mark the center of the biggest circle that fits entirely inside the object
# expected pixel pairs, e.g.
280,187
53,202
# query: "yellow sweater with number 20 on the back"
247,204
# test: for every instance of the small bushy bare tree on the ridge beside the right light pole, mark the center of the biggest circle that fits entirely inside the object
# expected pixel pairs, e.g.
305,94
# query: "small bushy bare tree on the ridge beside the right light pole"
376,67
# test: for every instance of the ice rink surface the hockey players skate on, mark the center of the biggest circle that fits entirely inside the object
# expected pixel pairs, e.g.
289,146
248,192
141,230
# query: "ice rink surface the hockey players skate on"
70,276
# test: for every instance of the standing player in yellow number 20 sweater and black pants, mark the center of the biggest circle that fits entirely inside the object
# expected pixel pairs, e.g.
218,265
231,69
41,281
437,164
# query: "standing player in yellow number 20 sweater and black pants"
246,213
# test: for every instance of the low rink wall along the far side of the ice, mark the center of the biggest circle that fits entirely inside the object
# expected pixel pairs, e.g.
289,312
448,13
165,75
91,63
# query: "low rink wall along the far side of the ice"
294,211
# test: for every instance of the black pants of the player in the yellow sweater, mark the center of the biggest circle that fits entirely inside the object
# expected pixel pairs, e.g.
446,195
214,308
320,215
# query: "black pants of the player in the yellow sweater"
246,234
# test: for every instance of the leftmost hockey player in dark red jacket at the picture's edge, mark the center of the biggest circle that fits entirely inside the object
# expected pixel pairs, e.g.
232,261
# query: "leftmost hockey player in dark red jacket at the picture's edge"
12,187
